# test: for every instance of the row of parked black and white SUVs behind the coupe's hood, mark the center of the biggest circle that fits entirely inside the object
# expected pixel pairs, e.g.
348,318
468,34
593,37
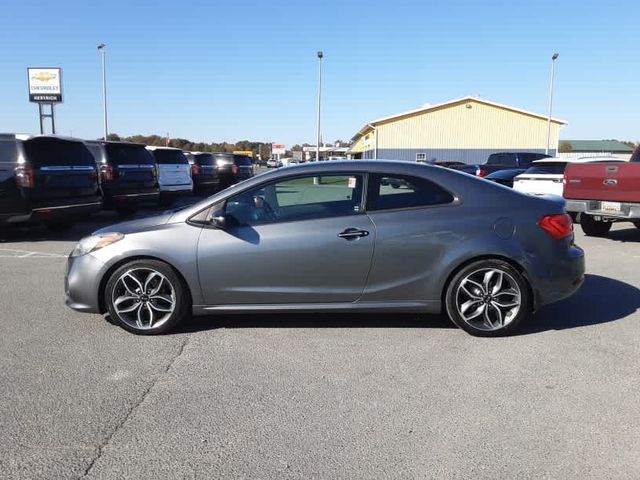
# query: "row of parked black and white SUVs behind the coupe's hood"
57,180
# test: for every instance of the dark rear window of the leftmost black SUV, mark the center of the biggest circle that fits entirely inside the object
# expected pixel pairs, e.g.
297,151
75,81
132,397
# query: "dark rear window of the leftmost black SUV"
48,151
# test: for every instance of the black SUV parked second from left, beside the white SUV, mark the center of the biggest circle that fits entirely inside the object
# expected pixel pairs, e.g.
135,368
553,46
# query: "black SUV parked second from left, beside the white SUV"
128,174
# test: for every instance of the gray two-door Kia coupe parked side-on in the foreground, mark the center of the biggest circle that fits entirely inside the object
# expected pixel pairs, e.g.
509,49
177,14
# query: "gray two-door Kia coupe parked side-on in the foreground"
348,236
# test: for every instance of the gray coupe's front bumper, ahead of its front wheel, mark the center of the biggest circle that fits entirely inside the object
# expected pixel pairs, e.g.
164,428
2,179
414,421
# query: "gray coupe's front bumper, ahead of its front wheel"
82,283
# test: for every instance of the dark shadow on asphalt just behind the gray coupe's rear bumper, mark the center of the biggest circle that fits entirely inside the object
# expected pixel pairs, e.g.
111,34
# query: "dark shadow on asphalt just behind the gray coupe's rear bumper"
599,300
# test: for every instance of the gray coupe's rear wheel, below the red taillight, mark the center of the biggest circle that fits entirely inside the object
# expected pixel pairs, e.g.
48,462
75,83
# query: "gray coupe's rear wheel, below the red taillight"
456,298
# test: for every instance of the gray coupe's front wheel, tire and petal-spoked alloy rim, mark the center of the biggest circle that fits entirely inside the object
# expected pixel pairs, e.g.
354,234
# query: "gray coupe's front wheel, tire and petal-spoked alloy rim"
146,297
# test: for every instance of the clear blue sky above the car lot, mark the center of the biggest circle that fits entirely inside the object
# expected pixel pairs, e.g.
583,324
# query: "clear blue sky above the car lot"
232,70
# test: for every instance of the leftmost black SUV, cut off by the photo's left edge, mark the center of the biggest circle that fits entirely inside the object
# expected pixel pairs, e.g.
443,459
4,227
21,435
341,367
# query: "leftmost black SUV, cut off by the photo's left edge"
46,179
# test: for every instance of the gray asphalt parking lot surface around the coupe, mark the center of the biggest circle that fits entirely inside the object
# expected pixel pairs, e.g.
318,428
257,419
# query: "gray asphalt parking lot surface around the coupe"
317,396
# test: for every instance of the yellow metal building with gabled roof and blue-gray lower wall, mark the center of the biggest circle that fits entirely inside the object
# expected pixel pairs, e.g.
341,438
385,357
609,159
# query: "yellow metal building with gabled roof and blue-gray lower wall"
468,130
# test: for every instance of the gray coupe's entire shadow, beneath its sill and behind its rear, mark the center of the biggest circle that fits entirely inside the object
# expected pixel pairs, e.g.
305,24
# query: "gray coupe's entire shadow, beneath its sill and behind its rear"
599,300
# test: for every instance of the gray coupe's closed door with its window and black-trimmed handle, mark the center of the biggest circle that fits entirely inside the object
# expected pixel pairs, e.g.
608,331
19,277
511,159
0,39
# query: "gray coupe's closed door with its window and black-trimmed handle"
302,239
